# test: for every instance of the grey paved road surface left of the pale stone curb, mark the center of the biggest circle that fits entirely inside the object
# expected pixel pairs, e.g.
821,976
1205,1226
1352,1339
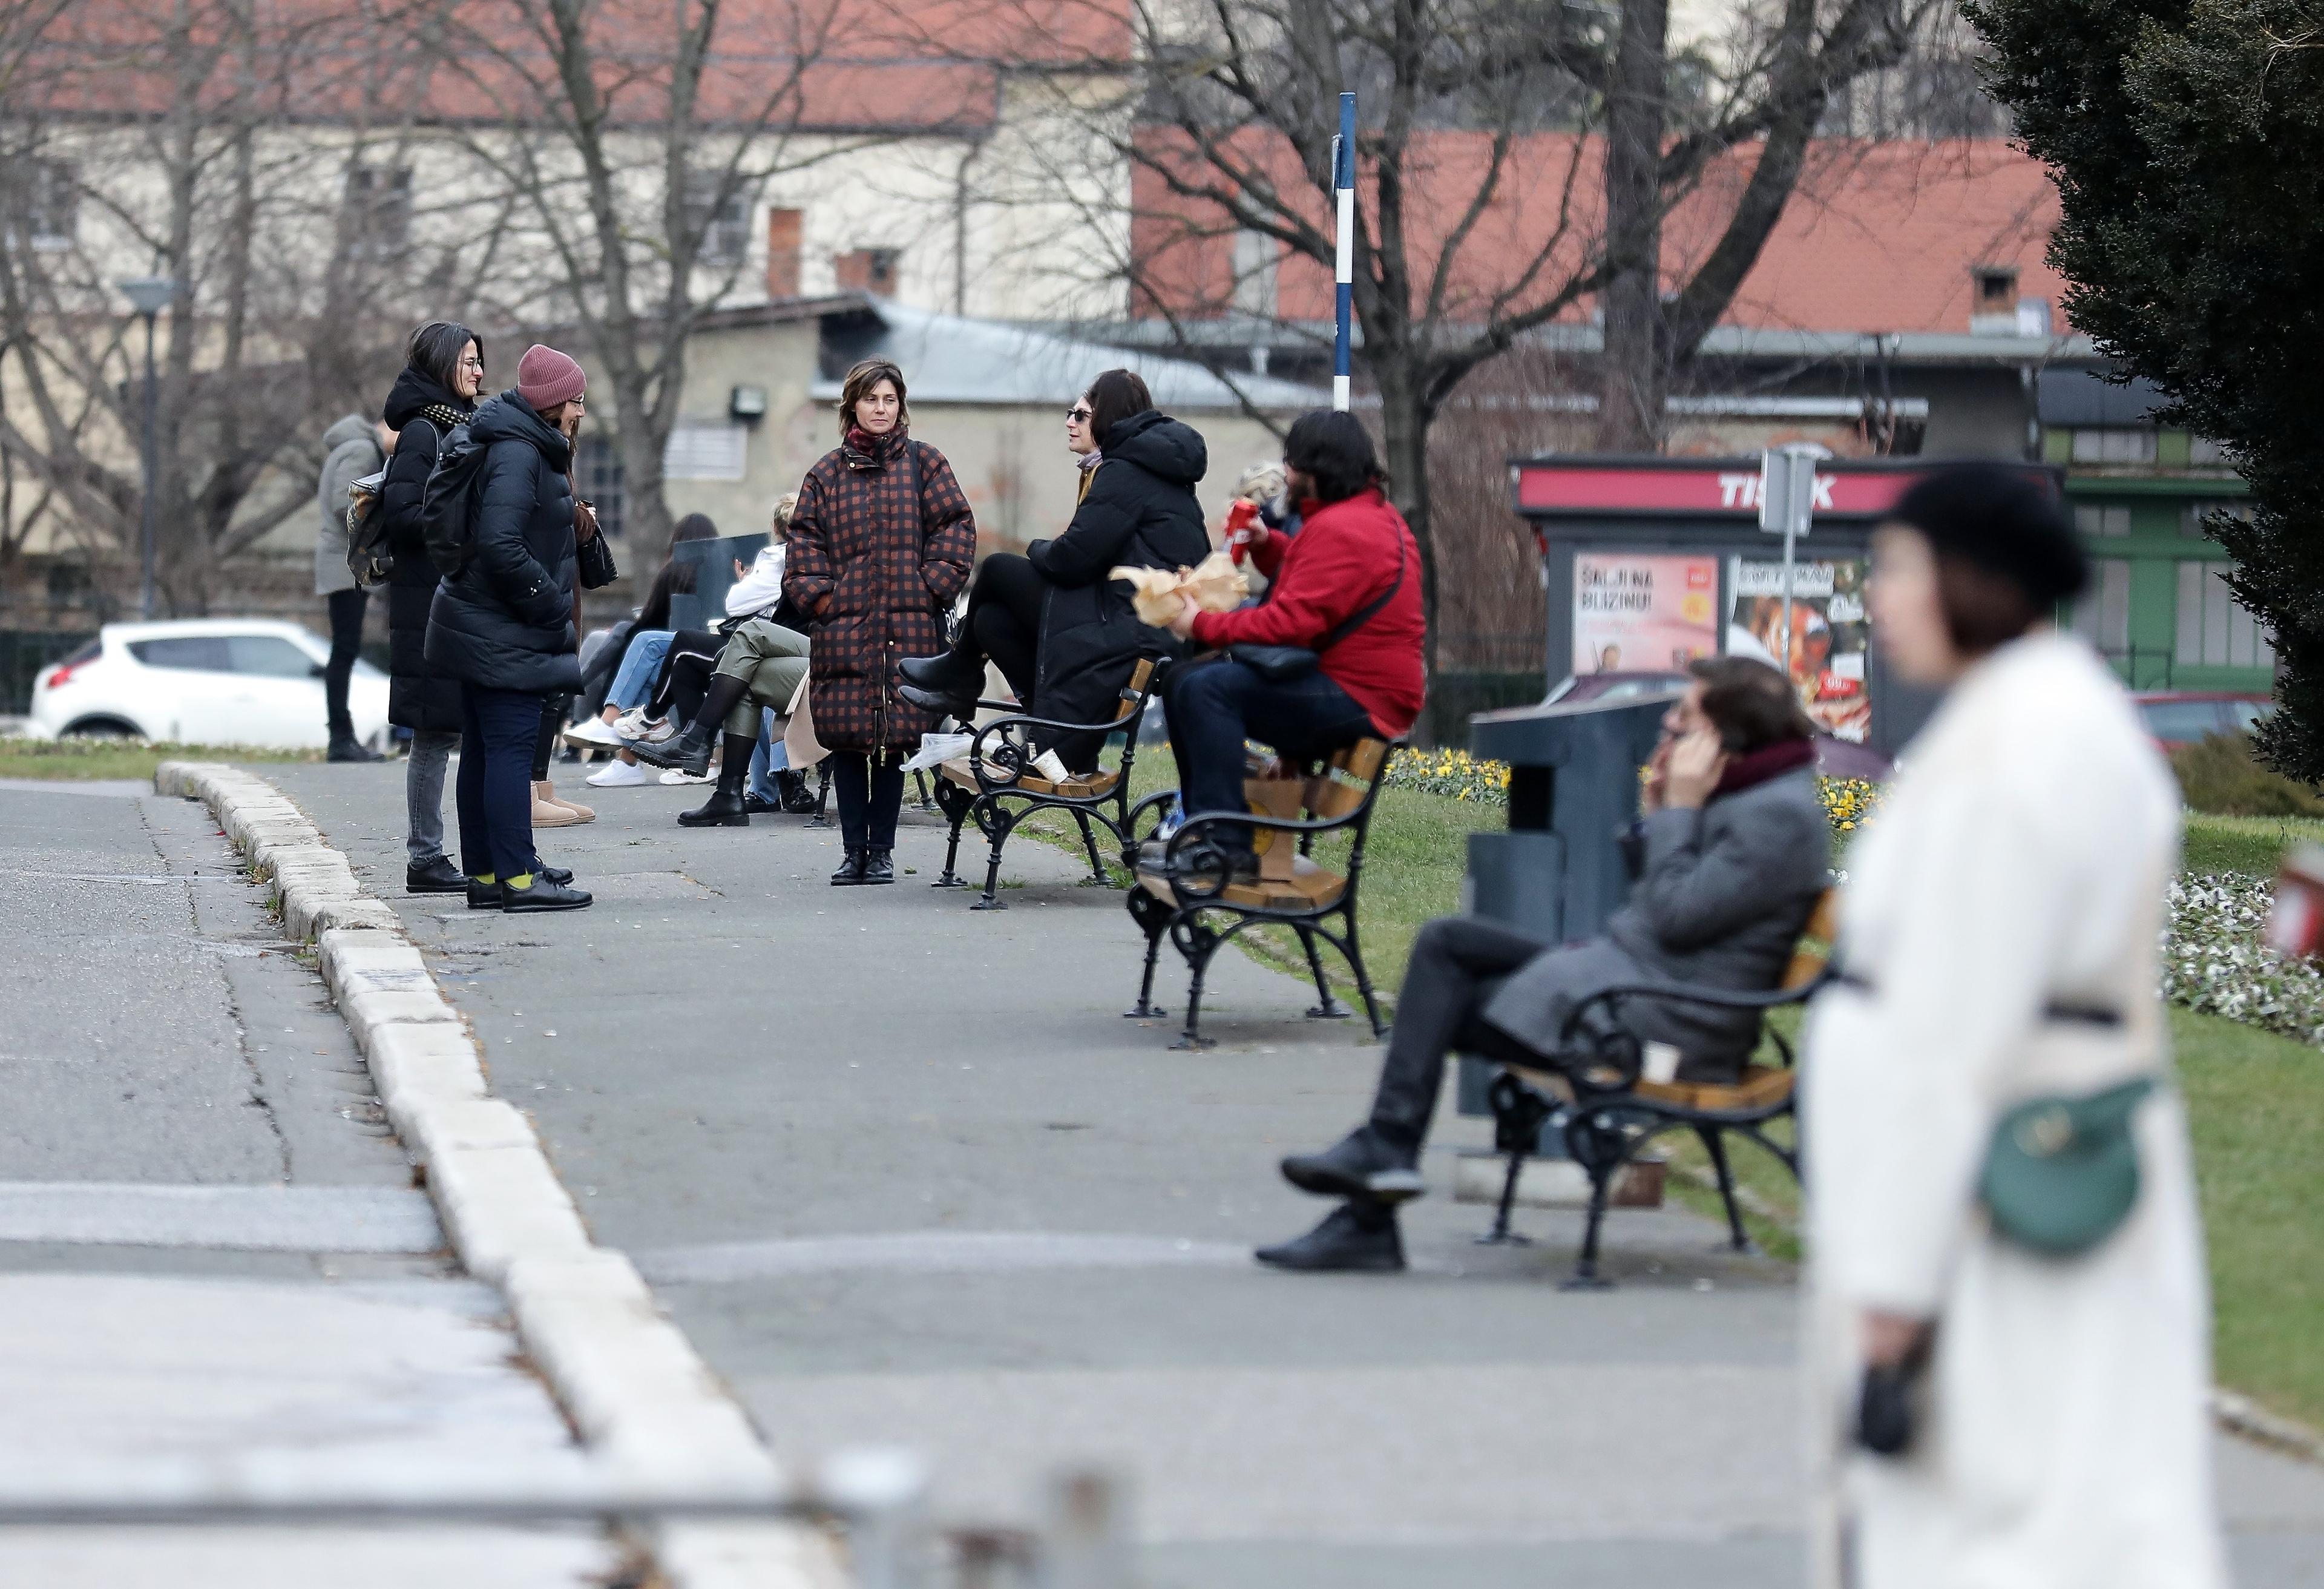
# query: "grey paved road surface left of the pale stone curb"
208,1239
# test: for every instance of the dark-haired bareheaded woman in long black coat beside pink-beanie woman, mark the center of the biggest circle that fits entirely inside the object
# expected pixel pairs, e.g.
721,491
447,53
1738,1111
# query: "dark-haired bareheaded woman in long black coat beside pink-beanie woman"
436,391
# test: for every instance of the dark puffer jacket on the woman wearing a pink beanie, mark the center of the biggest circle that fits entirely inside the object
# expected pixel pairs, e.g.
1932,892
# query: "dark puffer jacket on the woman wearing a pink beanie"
508,624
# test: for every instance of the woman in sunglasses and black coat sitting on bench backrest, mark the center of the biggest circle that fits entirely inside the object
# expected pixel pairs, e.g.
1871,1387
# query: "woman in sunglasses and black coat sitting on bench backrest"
1063,633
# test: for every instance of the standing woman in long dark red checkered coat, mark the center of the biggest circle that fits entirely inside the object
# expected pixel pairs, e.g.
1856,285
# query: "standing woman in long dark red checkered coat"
880,549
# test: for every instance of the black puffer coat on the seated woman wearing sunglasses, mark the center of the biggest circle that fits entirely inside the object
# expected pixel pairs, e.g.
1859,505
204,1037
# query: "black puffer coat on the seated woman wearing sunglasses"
1140,512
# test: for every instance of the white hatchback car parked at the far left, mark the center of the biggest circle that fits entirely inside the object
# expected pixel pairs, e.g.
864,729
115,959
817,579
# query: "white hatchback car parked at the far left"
206,682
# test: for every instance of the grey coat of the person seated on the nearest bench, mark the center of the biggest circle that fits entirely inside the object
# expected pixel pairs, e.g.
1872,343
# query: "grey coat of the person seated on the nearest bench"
1719,898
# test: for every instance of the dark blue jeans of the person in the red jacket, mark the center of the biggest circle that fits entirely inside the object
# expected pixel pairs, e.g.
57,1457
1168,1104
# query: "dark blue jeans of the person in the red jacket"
1214,707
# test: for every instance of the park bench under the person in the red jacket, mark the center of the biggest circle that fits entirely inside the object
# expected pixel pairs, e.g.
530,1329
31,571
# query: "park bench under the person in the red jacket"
1182,884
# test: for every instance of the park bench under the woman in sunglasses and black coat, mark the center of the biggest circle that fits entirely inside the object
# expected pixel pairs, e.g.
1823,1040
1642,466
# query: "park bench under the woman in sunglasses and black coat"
998,789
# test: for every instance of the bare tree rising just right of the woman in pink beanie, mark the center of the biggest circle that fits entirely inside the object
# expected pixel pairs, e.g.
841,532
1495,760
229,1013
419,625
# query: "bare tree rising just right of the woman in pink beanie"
636,141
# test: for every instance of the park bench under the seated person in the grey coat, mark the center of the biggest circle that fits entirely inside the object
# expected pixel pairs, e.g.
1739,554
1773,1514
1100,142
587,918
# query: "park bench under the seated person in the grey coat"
1612,1109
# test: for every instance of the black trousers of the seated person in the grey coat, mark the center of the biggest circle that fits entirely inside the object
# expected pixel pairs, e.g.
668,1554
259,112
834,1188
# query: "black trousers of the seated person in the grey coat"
1458,965
